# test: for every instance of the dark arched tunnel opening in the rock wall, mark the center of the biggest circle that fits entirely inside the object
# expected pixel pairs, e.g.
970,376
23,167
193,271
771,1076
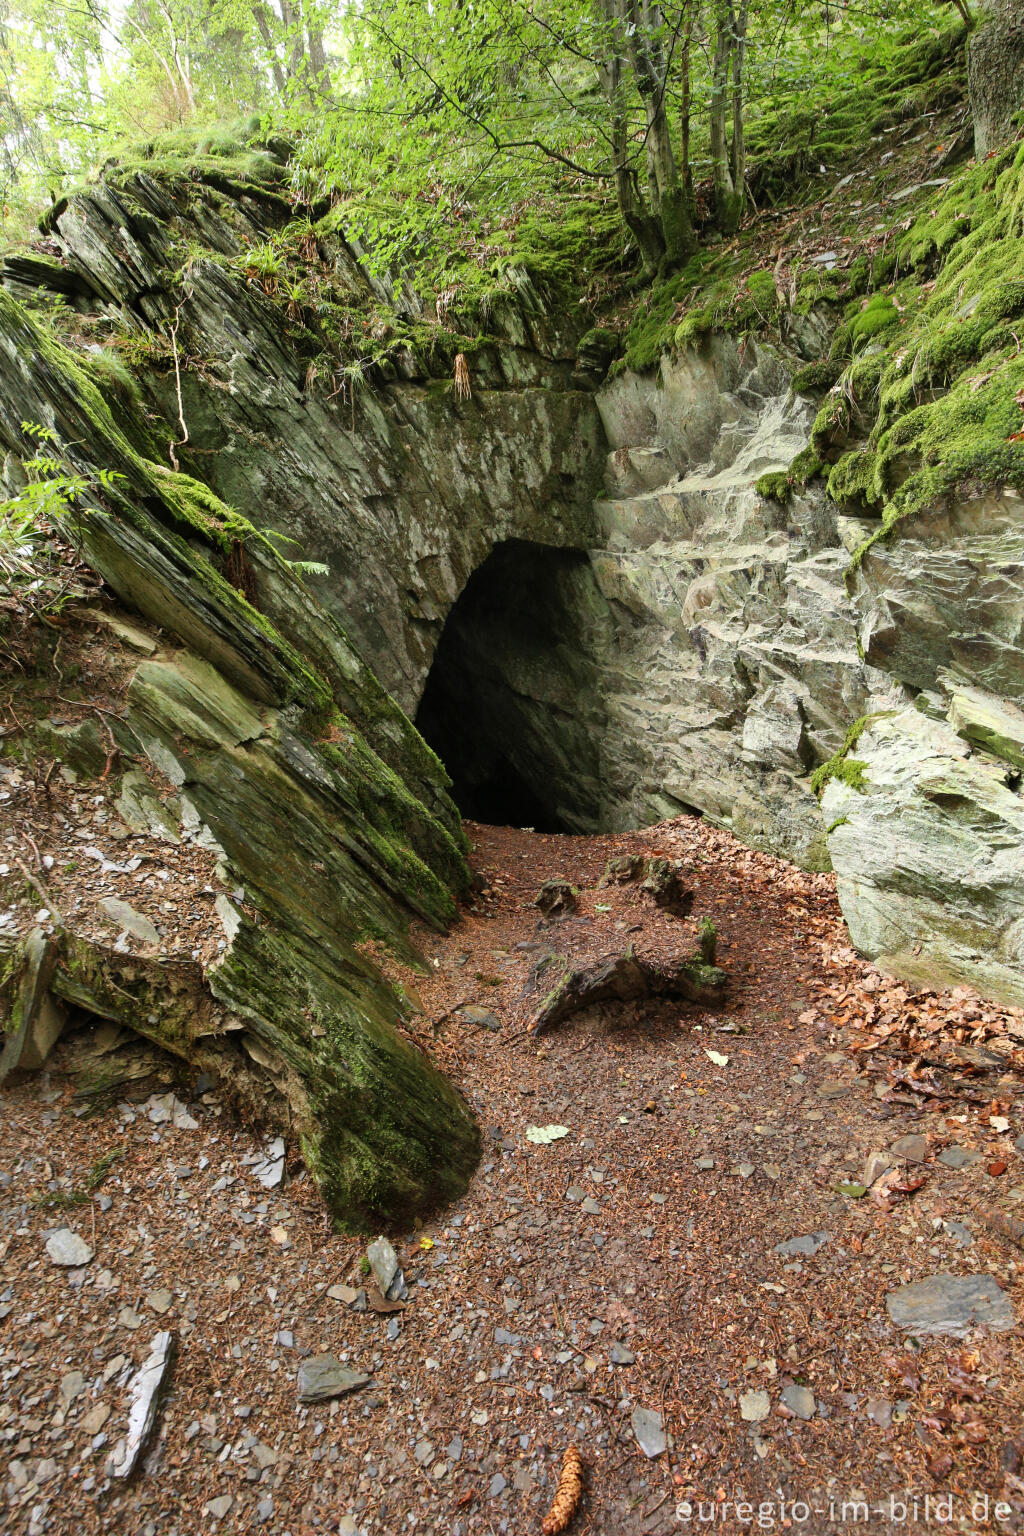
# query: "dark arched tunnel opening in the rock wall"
512,704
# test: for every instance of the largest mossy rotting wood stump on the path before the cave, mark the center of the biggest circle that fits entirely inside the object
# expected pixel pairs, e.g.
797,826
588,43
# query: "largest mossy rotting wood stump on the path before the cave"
624,978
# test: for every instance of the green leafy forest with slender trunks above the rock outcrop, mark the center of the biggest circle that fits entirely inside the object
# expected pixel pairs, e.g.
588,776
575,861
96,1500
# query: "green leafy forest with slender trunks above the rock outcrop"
438,122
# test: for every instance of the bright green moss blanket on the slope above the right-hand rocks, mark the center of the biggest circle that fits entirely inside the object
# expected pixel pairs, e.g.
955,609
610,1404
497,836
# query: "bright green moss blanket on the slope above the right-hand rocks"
940,386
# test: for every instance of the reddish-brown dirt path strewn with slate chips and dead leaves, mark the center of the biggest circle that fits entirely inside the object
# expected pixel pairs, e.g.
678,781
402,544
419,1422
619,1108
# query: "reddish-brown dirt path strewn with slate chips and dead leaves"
626,1266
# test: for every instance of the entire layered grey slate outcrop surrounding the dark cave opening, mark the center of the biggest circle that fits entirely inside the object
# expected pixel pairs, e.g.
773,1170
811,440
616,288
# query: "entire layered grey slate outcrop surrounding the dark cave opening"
693,646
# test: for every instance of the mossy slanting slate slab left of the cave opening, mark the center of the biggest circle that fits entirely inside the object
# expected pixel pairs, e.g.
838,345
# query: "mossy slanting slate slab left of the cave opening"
312,787
